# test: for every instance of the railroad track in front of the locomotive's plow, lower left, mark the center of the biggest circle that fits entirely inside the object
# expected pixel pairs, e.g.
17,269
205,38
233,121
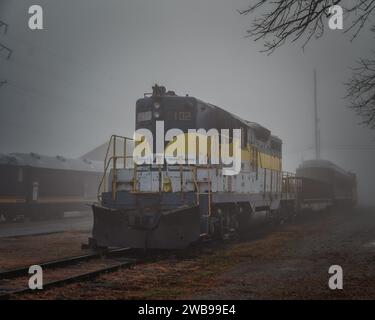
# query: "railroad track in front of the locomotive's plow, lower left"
113,260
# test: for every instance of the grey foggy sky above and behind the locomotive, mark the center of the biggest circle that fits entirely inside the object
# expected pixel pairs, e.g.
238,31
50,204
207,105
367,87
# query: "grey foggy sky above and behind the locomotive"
73,84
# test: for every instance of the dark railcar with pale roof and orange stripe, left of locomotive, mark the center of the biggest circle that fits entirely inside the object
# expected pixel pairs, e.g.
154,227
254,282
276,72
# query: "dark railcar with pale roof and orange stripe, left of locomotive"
40,187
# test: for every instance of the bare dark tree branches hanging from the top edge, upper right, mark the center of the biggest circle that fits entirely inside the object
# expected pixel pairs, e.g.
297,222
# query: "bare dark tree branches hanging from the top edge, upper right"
280,20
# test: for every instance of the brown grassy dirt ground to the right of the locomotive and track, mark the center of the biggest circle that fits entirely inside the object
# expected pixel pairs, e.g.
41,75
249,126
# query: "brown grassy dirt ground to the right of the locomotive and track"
285,262
